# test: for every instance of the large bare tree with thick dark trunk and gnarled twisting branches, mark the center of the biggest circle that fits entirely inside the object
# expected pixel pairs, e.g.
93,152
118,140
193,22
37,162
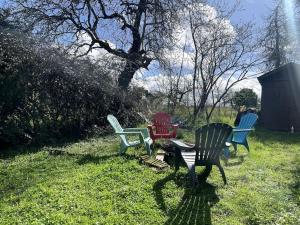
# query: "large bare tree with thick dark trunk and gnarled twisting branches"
129,29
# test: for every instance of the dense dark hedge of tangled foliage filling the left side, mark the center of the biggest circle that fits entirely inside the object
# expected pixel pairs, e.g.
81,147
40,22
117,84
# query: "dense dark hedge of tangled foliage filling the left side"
45,95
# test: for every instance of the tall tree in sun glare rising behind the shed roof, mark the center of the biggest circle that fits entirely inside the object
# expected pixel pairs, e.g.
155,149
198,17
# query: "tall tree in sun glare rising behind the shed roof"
280,42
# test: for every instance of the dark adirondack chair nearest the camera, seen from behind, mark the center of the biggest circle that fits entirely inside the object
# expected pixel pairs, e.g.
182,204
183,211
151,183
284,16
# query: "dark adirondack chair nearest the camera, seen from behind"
209,143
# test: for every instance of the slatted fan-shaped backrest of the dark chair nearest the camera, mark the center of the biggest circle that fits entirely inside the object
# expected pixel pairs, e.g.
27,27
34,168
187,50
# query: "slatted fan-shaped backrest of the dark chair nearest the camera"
210,140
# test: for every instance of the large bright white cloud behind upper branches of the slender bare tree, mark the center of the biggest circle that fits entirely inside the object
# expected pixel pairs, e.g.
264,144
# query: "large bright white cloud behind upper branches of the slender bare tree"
211,23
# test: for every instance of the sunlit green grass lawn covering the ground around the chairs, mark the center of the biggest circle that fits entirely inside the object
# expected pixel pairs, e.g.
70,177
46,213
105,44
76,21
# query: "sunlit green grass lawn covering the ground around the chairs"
93,185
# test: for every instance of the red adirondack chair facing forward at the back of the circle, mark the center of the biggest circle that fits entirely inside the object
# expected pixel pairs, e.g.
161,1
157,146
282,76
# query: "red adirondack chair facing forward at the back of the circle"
162,127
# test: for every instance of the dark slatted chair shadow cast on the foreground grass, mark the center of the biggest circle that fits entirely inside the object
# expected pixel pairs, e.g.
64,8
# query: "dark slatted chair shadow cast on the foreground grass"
195,205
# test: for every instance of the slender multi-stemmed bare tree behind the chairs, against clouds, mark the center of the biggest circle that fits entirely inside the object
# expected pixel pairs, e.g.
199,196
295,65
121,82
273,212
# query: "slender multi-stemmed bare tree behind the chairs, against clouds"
210,57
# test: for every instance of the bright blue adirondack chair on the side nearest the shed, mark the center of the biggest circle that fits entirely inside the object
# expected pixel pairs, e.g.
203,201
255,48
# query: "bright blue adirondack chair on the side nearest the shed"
239,134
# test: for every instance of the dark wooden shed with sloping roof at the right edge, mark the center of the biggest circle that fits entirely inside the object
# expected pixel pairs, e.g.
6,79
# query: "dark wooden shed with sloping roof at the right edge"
280,100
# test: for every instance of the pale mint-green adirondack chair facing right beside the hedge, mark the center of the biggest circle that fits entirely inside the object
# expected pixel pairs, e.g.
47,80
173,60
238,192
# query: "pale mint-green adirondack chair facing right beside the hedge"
144,137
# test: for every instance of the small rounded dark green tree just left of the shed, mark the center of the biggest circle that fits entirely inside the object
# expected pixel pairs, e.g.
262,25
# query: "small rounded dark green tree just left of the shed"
245,97
